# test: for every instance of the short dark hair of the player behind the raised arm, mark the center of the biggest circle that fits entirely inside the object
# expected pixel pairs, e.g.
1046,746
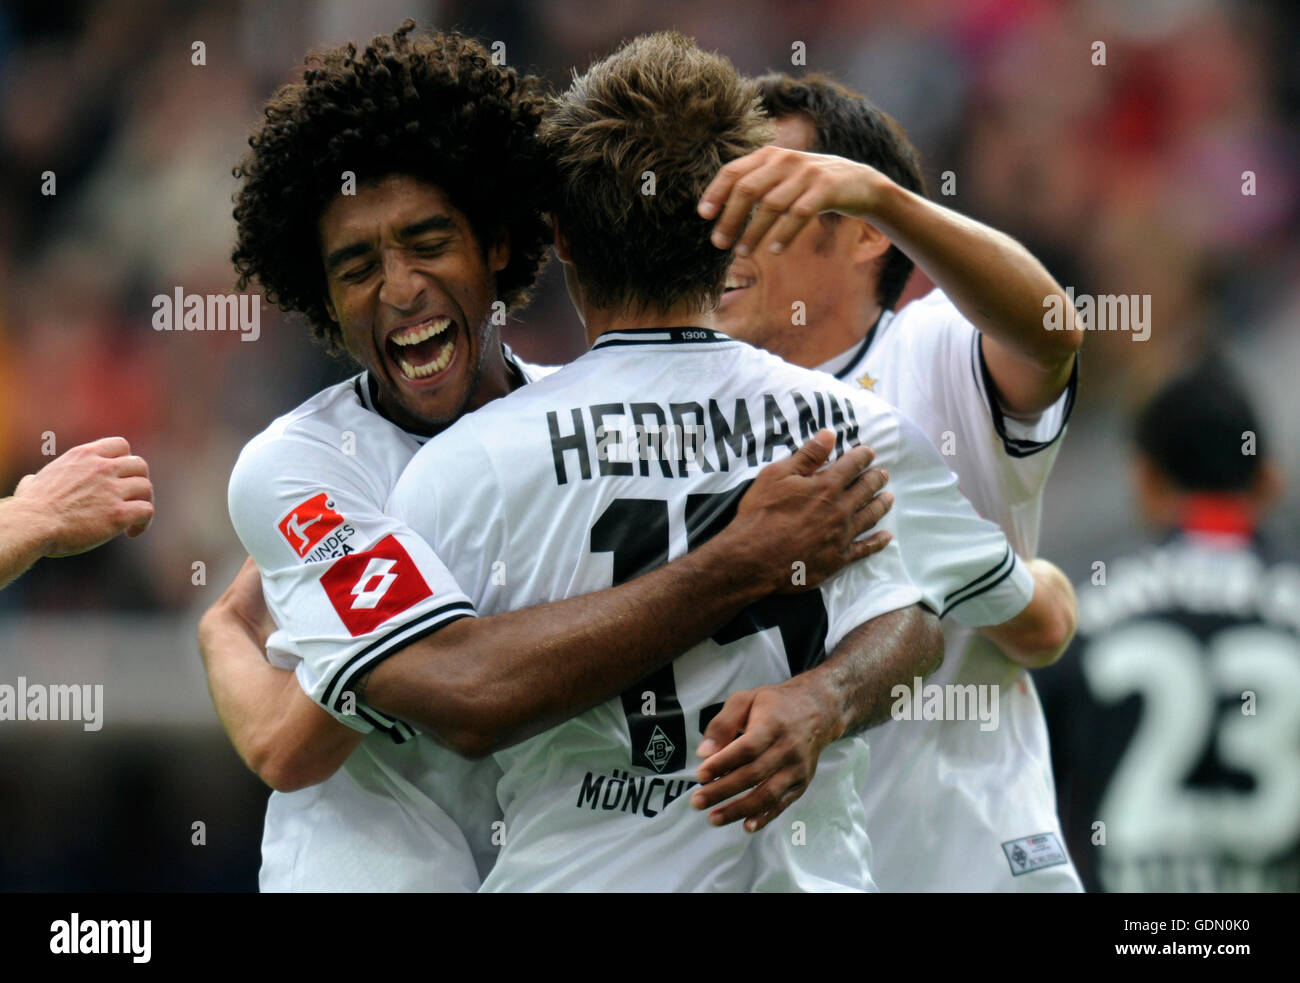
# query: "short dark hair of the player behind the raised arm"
850,125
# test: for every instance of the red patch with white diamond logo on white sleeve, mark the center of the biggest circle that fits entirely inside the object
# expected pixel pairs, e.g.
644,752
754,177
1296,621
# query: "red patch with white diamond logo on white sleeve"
370,588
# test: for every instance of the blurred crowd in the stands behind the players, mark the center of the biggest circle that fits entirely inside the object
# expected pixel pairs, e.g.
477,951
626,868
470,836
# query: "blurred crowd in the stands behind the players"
1125,179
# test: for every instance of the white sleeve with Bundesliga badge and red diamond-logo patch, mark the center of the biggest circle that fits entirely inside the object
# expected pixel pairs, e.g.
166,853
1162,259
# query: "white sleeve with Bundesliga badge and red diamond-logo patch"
346,584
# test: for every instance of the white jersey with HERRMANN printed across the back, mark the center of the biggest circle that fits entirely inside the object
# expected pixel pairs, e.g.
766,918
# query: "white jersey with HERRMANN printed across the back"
629,457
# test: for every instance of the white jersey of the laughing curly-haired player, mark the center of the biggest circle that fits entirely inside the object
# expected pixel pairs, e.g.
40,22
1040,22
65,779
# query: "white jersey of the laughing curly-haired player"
349,587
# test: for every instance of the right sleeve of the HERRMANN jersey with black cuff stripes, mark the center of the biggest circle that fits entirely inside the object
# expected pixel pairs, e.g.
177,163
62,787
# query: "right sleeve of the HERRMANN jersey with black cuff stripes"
963,564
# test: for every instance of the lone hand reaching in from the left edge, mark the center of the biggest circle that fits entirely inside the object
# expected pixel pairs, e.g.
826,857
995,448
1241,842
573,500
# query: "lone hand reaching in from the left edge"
90,495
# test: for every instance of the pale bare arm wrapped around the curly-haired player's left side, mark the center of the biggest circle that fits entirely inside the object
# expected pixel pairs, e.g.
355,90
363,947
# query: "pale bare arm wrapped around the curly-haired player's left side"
276,729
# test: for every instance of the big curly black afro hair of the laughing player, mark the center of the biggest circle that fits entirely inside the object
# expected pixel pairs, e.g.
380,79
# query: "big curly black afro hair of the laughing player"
430,106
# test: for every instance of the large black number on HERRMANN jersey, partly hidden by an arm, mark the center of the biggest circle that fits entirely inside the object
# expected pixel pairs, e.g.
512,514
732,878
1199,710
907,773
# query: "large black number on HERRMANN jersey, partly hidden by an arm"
636,532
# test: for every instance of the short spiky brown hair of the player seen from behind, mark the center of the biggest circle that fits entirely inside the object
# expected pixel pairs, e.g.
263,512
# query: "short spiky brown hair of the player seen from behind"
662,111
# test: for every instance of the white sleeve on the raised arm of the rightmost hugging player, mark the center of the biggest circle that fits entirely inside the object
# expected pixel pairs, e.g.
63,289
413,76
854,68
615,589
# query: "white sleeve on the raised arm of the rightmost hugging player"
948,367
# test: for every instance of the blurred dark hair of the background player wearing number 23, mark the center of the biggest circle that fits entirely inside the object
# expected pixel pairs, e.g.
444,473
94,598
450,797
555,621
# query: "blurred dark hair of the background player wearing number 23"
1197,431
